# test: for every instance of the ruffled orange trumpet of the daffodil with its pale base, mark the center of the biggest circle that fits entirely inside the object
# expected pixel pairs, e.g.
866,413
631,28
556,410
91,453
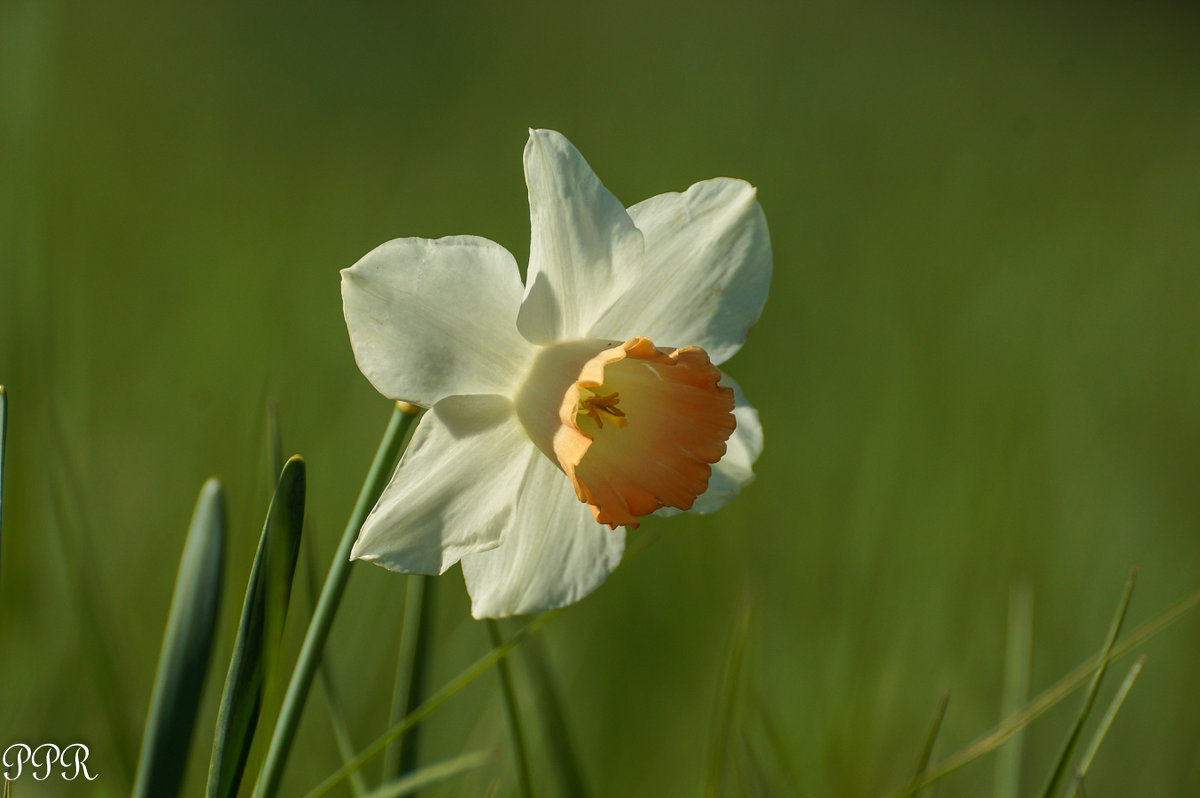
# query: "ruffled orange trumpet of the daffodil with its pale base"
635,428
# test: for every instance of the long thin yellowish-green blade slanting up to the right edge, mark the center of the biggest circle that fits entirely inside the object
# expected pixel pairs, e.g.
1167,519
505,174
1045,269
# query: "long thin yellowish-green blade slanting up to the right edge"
1048,699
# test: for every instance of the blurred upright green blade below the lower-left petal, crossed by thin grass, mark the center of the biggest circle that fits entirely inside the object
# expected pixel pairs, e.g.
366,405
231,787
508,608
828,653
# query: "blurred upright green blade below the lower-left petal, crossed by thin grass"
412,665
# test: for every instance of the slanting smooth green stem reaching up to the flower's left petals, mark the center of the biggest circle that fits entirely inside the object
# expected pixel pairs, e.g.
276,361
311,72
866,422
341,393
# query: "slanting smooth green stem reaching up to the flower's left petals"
327,607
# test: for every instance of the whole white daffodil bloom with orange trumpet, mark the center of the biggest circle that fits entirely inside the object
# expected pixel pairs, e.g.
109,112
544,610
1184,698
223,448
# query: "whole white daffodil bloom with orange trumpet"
561,411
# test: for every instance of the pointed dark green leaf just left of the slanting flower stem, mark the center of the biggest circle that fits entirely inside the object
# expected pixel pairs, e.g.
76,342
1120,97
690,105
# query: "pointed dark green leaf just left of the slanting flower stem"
260,632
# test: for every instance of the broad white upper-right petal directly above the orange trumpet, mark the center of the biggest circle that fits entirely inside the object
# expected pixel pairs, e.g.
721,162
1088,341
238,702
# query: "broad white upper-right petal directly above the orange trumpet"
707,271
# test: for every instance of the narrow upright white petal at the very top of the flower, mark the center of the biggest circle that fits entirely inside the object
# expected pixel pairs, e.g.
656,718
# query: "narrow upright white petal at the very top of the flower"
585,250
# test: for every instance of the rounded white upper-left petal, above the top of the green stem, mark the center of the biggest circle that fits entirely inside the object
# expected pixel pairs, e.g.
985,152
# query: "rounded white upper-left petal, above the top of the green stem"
434,319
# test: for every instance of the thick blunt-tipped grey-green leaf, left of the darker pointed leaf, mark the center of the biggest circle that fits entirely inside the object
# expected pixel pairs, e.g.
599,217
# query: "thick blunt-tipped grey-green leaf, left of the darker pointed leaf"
187,650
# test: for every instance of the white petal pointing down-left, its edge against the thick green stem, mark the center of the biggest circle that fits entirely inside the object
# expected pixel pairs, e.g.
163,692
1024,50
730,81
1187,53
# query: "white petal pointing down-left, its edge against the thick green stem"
455,489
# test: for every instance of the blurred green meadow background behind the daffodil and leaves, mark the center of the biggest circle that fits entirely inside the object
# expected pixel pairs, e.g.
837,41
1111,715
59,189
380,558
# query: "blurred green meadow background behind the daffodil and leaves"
977,368
